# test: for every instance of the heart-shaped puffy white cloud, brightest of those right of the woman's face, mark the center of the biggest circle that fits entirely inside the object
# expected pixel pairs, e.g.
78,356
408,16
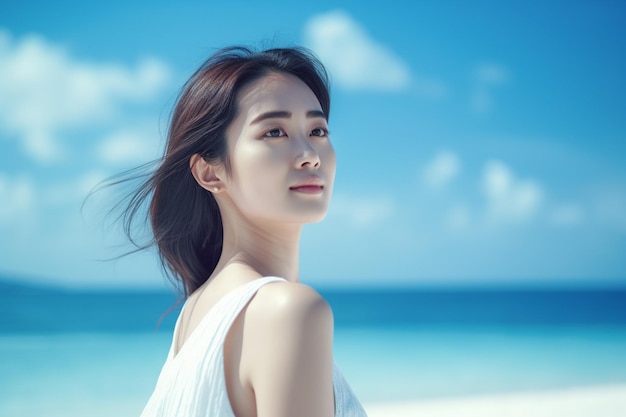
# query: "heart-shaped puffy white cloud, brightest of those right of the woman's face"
509,199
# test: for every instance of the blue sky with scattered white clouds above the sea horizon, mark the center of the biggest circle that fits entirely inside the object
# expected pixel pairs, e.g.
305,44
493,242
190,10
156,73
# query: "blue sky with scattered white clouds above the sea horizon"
480,143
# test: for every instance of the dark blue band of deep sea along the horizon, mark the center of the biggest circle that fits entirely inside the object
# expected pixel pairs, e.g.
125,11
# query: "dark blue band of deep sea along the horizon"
32,308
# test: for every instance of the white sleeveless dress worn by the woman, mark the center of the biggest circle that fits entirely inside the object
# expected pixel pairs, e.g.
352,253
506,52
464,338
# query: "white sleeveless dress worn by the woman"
192,382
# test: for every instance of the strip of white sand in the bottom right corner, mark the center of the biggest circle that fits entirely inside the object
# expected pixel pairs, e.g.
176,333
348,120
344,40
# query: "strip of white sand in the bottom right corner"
605,401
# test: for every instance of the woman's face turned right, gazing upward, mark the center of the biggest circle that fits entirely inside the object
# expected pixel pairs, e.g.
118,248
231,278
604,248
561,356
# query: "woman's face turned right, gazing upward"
282,161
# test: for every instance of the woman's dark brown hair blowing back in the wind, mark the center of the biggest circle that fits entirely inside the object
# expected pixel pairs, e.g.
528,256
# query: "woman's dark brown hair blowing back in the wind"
185,219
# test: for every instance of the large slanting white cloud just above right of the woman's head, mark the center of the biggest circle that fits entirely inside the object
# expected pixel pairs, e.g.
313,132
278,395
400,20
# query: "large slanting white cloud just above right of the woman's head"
354,60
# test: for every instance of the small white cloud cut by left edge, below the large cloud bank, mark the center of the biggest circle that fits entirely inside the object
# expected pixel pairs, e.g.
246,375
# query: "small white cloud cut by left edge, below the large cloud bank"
17,197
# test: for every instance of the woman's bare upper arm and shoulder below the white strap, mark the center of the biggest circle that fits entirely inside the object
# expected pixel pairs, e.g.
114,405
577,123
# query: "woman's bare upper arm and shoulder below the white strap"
287,352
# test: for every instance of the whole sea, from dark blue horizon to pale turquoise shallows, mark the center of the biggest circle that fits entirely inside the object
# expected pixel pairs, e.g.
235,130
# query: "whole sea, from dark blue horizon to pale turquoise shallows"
71,353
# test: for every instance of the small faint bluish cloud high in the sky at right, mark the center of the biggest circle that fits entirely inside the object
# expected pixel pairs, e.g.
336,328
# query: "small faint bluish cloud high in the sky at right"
485,77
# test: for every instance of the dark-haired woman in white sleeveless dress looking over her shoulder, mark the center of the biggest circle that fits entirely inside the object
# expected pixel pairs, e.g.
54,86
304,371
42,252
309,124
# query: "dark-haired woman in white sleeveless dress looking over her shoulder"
248,162
